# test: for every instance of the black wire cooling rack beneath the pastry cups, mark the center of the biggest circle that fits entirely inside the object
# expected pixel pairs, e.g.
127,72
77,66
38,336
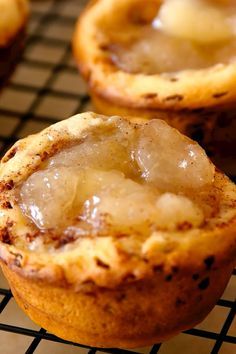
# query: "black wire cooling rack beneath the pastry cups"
45,86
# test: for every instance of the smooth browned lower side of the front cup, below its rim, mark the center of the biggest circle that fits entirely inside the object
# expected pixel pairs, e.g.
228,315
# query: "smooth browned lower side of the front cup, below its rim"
102,317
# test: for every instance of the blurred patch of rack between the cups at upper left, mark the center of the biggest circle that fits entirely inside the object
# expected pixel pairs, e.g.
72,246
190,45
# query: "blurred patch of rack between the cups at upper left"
45,86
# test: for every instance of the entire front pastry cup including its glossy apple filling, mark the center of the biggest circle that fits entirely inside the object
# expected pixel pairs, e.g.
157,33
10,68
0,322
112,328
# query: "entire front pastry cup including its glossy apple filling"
100,287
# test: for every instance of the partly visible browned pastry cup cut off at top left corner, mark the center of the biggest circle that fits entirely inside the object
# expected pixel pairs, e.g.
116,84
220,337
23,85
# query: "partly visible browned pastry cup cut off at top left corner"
13,22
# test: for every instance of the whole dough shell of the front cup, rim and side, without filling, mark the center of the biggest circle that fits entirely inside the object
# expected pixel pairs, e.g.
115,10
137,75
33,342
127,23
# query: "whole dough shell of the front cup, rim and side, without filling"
112,289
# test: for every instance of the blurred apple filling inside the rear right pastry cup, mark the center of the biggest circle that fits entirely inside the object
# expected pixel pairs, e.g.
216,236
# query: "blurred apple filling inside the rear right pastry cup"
185,34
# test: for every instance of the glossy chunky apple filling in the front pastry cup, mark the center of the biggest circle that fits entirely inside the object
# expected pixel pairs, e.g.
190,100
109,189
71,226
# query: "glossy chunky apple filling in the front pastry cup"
121,179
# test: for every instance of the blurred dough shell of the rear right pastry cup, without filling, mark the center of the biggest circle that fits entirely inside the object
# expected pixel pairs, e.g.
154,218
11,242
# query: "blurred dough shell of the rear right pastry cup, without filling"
192,101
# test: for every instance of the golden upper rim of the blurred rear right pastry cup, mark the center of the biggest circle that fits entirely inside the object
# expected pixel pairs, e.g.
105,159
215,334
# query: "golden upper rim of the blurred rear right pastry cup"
211,87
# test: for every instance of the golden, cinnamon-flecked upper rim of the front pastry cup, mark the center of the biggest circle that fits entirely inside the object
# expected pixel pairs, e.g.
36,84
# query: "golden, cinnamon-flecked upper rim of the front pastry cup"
105,261
